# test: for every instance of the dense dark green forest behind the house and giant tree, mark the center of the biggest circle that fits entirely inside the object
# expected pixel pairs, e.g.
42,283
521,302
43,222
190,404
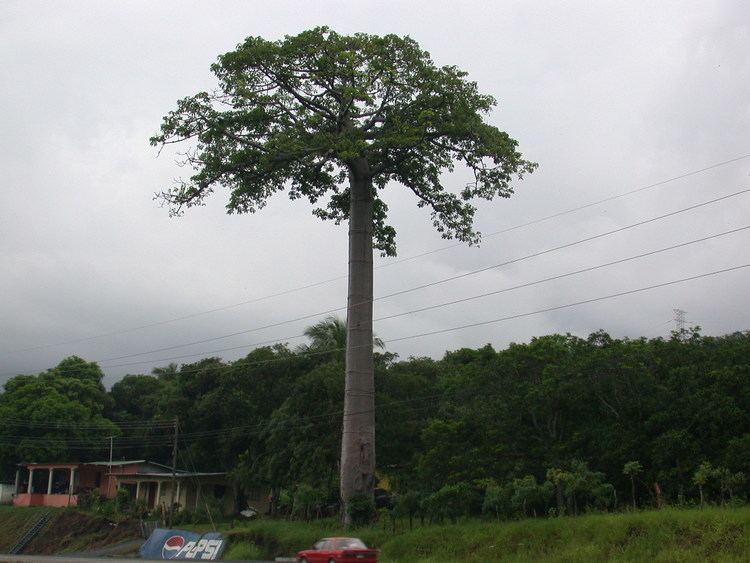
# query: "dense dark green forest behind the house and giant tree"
561,424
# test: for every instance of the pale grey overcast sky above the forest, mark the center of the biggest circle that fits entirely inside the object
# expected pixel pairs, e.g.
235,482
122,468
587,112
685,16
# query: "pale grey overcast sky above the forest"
607,97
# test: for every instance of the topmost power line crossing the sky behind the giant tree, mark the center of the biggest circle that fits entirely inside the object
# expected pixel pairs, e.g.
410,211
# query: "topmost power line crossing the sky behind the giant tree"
393,263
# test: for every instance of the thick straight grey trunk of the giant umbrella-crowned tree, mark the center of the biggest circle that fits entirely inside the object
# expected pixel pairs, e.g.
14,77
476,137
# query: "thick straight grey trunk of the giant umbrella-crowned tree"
358,439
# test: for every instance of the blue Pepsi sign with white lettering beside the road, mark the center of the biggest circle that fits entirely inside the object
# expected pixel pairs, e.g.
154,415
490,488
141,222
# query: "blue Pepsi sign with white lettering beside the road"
182,545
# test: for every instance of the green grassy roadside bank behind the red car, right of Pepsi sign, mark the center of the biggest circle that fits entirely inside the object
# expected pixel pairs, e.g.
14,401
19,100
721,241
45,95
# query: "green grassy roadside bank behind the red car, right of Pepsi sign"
712,534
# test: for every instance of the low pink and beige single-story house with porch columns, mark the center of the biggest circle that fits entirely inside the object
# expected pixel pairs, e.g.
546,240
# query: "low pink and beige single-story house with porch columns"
60,484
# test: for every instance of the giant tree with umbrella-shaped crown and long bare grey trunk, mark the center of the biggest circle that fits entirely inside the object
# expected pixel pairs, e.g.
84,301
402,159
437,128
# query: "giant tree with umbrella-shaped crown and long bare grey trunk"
340,117
